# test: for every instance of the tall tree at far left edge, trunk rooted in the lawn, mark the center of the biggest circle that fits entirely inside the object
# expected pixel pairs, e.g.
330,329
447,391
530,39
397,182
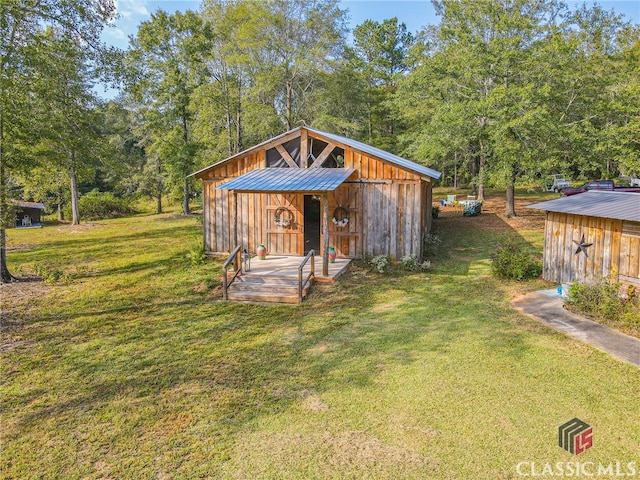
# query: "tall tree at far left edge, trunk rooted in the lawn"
21,24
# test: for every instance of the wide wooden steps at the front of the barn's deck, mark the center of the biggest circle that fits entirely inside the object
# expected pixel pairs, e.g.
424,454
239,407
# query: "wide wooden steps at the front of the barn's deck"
270,289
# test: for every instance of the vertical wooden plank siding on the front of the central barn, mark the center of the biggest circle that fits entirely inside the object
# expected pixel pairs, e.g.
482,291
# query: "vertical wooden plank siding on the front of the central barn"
389,210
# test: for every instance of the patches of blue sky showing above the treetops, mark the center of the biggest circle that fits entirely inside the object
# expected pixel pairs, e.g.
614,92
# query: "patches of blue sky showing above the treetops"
414,13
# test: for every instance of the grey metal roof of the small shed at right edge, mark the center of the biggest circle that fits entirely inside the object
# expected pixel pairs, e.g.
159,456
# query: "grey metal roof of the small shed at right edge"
619,205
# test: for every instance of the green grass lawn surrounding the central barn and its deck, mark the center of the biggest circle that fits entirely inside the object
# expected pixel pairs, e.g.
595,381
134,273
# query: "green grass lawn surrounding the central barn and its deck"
130,366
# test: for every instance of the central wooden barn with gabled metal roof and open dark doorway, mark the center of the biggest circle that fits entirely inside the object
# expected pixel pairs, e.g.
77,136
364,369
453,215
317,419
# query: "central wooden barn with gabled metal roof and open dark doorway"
307,189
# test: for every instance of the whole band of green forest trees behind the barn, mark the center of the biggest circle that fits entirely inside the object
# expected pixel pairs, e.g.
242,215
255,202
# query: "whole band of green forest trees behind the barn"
497,94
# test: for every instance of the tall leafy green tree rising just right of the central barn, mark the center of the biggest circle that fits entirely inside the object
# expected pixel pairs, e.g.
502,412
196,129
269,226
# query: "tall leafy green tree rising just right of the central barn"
478,63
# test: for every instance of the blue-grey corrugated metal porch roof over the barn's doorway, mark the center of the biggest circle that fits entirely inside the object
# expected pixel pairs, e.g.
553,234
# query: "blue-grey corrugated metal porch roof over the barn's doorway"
289,180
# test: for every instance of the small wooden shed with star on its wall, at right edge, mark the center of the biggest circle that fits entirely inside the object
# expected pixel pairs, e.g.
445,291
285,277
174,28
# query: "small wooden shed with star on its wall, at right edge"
592,236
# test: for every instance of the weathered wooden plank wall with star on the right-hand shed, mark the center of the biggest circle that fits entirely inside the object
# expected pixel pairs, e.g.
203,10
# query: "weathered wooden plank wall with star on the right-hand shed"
615,253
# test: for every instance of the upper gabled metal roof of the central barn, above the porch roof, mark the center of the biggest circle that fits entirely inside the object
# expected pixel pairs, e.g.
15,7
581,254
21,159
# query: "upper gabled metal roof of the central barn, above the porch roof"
363,147
